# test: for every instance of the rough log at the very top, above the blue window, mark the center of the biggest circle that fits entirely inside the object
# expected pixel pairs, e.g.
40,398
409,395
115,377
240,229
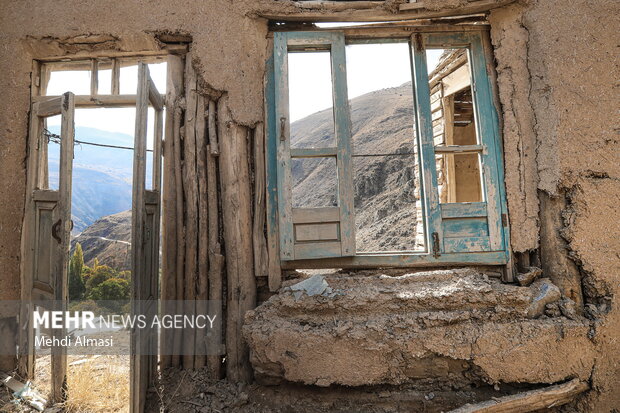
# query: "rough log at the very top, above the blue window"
378,14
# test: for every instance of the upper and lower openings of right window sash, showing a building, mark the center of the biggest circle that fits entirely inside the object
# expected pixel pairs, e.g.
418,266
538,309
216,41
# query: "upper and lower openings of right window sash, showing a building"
454,124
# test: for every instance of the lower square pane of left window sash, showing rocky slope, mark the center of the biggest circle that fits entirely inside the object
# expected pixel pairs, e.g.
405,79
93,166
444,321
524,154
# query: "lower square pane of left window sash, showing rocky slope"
314,182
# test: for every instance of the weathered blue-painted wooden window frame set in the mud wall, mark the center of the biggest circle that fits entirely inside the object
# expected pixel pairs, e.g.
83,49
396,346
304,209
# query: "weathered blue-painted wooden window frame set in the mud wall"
438,218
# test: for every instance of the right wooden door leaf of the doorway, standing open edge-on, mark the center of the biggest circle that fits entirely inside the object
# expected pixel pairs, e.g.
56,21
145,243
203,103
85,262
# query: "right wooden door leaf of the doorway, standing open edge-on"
145,239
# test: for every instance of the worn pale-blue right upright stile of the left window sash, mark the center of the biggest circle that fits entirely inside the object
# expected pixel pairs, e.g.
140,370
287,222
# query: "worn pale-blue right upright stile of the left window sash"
343,139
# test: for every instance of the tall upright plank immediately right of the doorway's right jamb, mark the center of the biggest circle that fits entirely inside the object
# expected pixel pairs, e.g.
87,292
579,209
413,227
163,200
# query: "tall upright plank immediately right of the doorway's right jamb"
190,187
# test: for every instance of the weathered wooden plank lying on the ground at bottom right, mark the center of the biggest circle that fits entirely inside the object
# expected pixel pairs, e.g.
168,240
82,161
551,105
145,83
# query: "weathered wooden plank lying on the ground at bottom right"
529,401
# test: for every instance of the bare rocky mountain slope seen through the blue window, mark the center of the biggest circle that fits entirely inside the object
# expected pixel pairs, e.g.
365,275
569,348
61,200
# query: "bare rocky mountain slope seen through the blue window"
381,124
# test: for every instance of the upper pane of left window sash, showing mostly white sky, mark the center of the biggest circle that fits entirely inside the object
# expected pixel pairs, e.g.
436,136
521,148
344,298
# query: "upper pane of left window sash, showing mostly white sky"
310,100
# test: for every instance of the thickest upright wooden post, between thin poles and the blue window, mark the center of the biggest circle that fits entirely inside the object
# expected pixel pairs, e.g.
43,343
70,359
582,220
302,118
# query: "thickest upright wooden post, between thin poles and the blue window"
237,221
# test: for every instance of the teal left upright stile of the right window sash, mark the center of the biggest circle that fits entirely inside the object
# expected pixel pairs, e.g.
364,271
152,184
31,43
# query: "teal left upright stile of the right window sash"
432,212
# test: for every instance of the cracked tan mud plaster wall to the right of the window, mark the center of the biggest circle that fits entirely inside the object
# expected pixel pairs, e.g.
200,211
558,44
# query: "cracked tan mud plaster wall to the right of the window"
569,50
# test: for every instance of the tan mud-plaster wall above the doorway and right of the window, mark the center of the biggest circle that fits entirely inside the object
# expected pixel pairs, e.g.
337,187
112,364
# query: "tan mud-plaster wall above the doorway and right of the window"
557,69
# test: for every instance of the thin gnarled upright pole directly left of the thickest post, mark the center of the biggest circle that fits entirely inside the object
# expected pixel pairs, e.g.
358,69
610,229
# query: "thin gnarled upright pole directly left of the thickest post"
216,260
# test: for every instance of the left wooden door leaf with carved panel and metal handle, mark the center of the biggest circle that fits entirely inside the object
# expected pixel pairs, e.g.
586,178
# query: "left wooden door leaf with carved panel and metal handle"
46,236
